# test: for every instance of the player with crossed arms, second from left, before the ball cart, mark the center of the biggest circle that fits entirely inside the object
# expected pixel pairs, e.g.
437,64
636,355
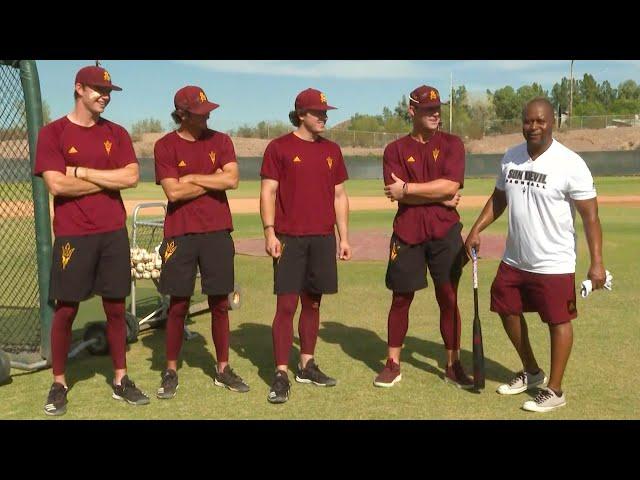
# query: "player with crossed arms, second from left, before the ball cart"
195,165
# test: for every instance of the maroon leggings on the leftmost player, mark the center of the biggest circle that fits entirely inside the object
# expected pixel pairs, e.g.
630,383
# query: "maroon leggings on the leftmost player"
65,314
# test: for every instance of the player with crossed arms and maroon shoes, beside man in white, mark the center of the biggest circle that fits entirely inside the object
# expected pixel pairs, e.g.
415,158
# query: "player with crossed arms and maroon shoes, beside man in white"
423,172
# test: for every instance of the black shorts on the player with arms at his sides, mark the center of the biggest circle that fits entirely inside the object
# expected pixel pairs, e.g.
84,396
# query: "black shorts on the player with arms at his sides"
306,264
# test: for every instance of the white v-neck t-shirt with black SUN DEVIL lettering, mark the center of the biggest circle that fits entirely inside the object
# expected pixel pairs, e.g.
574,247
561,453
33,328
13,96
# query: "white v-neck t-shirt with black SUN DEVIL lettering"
542,237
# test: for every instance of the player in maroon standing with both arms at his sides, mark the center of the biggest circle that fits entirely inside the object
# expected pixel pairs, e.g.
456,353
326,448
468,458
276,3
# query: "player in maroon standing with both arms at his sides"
302,198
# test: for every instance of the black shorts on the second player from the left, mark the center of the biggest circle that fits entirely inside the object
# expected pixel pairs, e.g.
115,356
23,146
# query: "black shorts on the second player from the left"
213,252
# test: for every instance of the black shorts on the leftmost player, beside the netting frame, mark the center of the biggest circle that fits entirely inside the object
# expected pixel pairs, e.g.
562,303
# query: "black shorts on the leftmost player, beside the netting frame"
86,265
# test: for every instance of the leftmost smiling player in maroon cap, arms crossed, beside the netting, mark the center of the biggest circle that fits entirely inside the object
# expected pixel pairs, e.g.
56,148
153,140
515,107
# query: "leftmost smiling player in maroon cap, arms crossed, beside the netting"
85,161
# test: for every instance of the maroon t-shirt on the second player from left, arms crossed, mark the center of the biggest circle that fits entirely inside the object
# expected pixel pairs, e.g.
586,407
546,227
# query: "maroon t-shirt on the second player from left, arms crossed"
176,157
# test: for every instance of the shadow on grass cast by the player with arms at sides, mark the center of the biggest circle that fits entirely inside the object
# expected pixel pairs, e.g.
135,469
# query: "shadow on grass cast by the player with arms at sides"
253,341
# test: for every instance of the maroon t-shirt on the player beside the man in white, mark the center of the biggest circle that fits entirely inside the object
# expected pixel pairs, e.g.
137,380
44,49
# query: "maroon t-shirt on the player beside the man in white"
414,162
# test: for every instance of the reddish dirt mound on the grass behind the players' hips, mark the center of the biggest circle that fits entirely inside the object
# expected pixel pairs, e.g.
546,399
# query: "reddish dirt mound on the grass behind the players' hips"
374,245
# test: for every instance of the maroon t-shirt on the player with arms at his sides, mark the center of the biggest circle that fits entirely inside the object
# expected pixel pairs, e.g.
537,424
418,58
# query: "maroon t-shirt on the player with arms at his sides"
307,173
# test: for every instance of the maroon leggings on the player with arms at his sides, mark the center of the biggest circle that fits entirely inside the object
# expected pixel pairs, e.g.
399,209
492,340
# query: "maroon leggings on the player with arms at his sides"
308,325
